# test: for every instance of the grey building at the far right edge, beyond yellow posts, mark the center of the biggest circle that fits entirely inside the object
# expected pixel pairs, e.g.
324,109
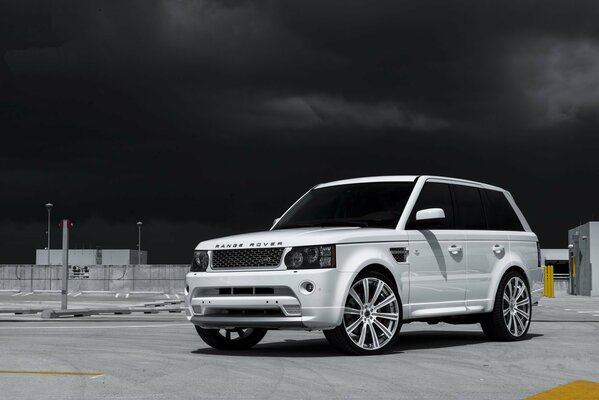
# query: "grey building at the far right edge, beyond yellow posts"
583,246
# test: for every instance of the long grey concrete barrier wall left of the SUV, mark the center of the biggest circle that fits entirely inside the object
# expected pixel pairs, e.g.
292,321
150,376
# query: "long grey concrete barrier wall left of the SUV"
167,278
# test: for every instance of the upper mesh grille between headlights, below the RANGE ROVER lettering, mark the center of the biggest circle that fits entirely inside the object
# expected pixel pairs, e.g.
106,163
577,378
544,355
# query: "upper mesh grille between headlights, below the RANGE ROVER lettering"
247,258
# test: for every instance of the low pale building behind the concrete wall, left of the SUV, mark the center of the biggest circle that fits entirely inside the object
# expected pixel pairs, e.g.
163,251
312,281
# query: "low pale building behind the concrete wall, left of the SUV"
92,257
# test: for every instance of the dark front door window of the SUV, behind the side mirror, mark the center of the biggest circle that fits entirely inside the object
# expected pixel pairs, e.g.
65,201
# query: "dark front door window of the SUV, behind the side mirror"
433,195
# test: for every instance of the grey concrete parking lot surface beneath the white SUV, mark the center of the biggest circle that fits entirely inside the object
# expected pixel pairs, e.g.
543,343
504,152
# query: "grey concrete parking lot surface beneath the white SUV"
161,357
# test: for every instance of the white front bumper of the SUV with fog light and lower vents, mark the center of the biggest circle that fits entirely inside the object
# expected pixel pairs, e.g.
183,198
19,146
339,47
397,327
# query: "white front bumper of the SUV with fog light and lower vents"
267,299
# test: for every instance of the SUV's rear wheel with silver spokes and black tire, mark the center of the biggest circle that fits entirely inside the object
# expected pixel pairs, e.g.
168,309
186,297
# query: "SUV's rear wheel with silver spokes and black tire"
512,310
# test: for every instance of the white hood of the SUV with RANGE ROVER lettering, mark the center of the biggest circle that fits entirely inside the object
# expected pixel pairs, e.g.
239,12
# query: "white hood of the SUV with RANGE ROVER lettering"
303,237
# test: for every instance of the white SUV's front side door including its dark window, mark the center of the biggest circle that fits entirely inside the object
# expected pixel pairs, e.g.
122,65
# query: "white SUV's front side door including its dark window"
437,264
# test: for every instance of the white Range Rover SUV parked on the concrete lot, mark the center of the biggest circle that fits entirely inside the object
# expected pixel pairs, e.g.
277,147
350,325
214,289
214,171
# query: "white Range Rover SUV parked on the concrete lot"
359,257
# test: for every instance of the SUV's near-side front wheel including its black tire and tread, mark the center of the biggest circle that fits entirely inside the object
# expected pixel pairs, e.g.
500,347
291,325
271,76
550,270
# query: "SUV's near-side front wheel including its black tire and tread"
368,327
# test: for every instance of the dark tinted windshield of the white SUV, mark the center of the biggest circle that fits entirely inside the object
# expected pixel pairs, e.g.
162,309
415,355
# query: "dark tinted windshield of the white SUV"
377,205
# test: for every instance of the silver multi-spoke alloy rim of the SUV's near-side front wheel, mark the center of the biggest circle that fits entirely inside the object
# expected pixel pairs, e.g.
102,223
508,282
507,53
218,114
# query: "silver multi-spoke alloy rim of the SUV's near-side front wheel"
371,314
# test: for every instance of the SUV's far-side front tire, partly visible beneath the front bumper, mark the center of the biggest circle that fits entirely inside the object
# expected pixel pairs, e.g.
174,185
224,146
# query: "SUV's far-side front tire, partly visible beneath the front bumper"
231,339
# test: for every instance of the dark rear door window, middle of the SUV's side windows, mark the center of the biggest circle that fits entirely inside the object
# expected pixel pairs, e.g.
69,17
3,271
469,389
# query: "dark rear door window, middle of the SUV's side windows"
469,208
